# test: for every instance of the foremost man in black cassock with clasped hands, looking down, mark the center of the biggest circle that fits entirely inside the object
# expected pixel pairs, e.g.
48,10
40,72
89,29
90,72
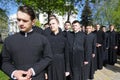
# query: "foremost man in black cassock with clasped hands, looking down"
26,54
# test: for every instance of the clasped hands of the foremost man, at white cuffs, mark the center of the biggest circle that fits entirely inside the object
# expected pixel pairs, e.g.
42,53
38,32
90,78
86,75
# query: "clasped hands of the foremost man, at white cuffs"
23,75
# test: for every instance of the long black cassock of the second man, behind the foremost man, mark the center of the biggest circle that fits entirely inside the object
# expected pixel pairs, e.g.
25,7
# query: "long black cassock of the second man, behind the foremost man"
60,62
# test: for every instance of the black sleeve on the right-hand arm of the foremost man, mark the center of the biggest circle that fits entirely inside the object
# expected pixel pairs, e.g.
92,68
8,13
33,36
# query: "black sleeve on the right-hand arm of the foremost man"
45,61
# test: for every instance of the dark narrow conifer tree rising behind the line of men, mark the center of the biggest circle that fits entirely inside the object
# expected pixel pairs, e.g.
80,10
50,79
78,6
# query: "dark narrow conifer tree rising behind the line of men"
86,17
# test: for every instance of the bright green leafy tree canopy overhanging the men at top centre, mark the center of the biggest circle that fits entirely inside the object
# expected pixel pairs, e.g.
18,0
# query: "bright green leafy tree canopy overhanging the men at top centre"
50,6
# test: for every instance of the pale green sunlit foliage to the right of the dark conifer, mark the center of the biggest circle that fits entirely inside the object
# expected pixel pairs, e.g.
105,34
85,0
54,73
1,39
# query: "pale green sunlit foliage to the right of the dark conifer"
107,12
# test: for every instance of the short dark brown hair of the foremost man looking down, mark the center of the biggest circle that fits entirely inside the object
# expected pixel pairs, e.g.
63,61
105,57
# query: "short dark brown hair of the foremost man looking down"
28,10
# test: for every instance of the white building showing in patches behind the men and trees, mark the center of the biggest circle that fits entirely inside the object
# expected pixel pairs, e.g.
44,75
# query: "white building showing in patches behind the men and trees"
43,18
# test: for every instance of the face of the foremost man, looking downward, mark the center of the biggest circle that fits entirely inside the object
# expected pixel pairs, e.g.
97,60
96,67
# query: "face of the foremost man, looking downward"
24,21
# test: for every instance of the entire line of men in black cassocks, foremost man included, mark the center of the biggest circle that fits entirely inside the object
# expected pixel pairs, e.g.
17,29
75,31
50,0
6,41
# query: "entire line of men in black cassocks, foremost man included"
76,54
